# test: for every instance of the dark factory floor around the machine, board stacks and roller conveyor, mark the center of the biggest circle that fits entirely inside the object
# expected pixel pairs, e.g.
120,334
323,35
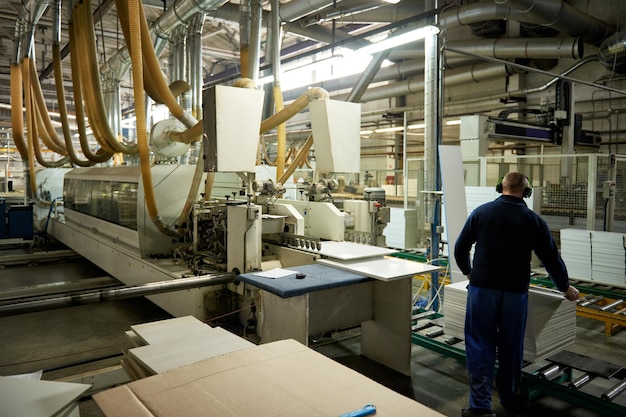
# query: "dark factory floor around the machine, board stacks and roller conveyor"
71,340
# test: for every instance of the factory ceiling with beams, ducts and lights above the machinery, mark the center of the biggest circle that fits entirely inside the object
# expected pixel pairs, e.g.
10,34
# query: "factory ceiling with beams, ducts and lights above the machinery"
472,30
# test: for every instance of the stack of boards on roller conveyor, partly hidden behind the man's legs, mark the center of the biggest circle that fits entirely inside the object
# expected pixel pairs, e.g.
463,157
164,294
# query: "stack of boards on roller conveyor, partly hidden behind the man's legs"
550,328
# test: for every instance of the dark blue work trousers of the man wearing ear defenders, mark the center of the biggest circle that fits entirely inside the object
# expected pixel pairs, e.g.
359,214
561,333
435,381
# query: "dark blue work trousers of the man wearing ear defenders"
495,323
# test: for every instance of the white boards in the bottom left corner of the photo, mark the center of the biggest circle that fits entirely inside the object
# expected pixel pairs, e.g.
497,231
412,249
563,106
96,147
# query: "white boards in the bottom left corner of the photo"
37,398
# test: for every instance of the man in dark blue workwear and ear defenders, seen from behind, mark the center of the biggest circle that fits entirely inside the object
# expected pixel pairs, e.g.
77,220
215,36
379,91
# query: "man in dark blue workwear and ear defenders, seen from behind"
505,233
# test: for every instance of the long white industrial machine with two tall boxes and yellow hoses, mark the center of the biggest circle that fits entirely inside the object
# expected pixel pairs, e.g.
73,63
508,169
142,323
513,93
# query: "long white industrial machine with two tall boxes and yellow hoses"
219,218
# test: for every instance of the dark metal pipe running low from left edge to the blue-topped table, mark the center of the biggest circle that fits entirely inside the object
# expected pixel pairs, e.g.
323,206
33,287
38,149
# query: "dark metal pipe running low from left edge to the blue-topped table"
117,293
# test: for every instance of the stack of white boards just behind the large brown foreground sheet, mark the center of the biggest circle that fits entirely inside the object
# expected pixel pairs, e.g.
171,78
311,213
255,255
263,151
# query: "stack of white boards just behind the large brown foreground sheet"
168,344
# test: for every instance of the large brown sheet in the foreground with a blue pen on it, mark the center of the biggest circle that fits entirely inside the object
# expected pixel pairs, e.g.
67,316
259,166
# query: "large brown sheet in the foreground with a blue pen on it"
283,378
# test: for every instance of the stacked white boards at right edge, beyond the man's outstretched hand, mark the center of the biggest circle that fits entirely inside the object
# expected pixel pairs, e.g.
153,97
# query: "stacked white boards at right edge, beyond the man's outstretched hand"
594,255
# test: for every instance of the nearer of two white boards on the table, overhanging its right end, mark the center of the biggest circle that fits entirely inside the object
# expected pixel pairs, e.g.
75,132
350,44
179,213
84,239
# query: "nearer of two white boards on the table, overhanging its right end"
383,269
